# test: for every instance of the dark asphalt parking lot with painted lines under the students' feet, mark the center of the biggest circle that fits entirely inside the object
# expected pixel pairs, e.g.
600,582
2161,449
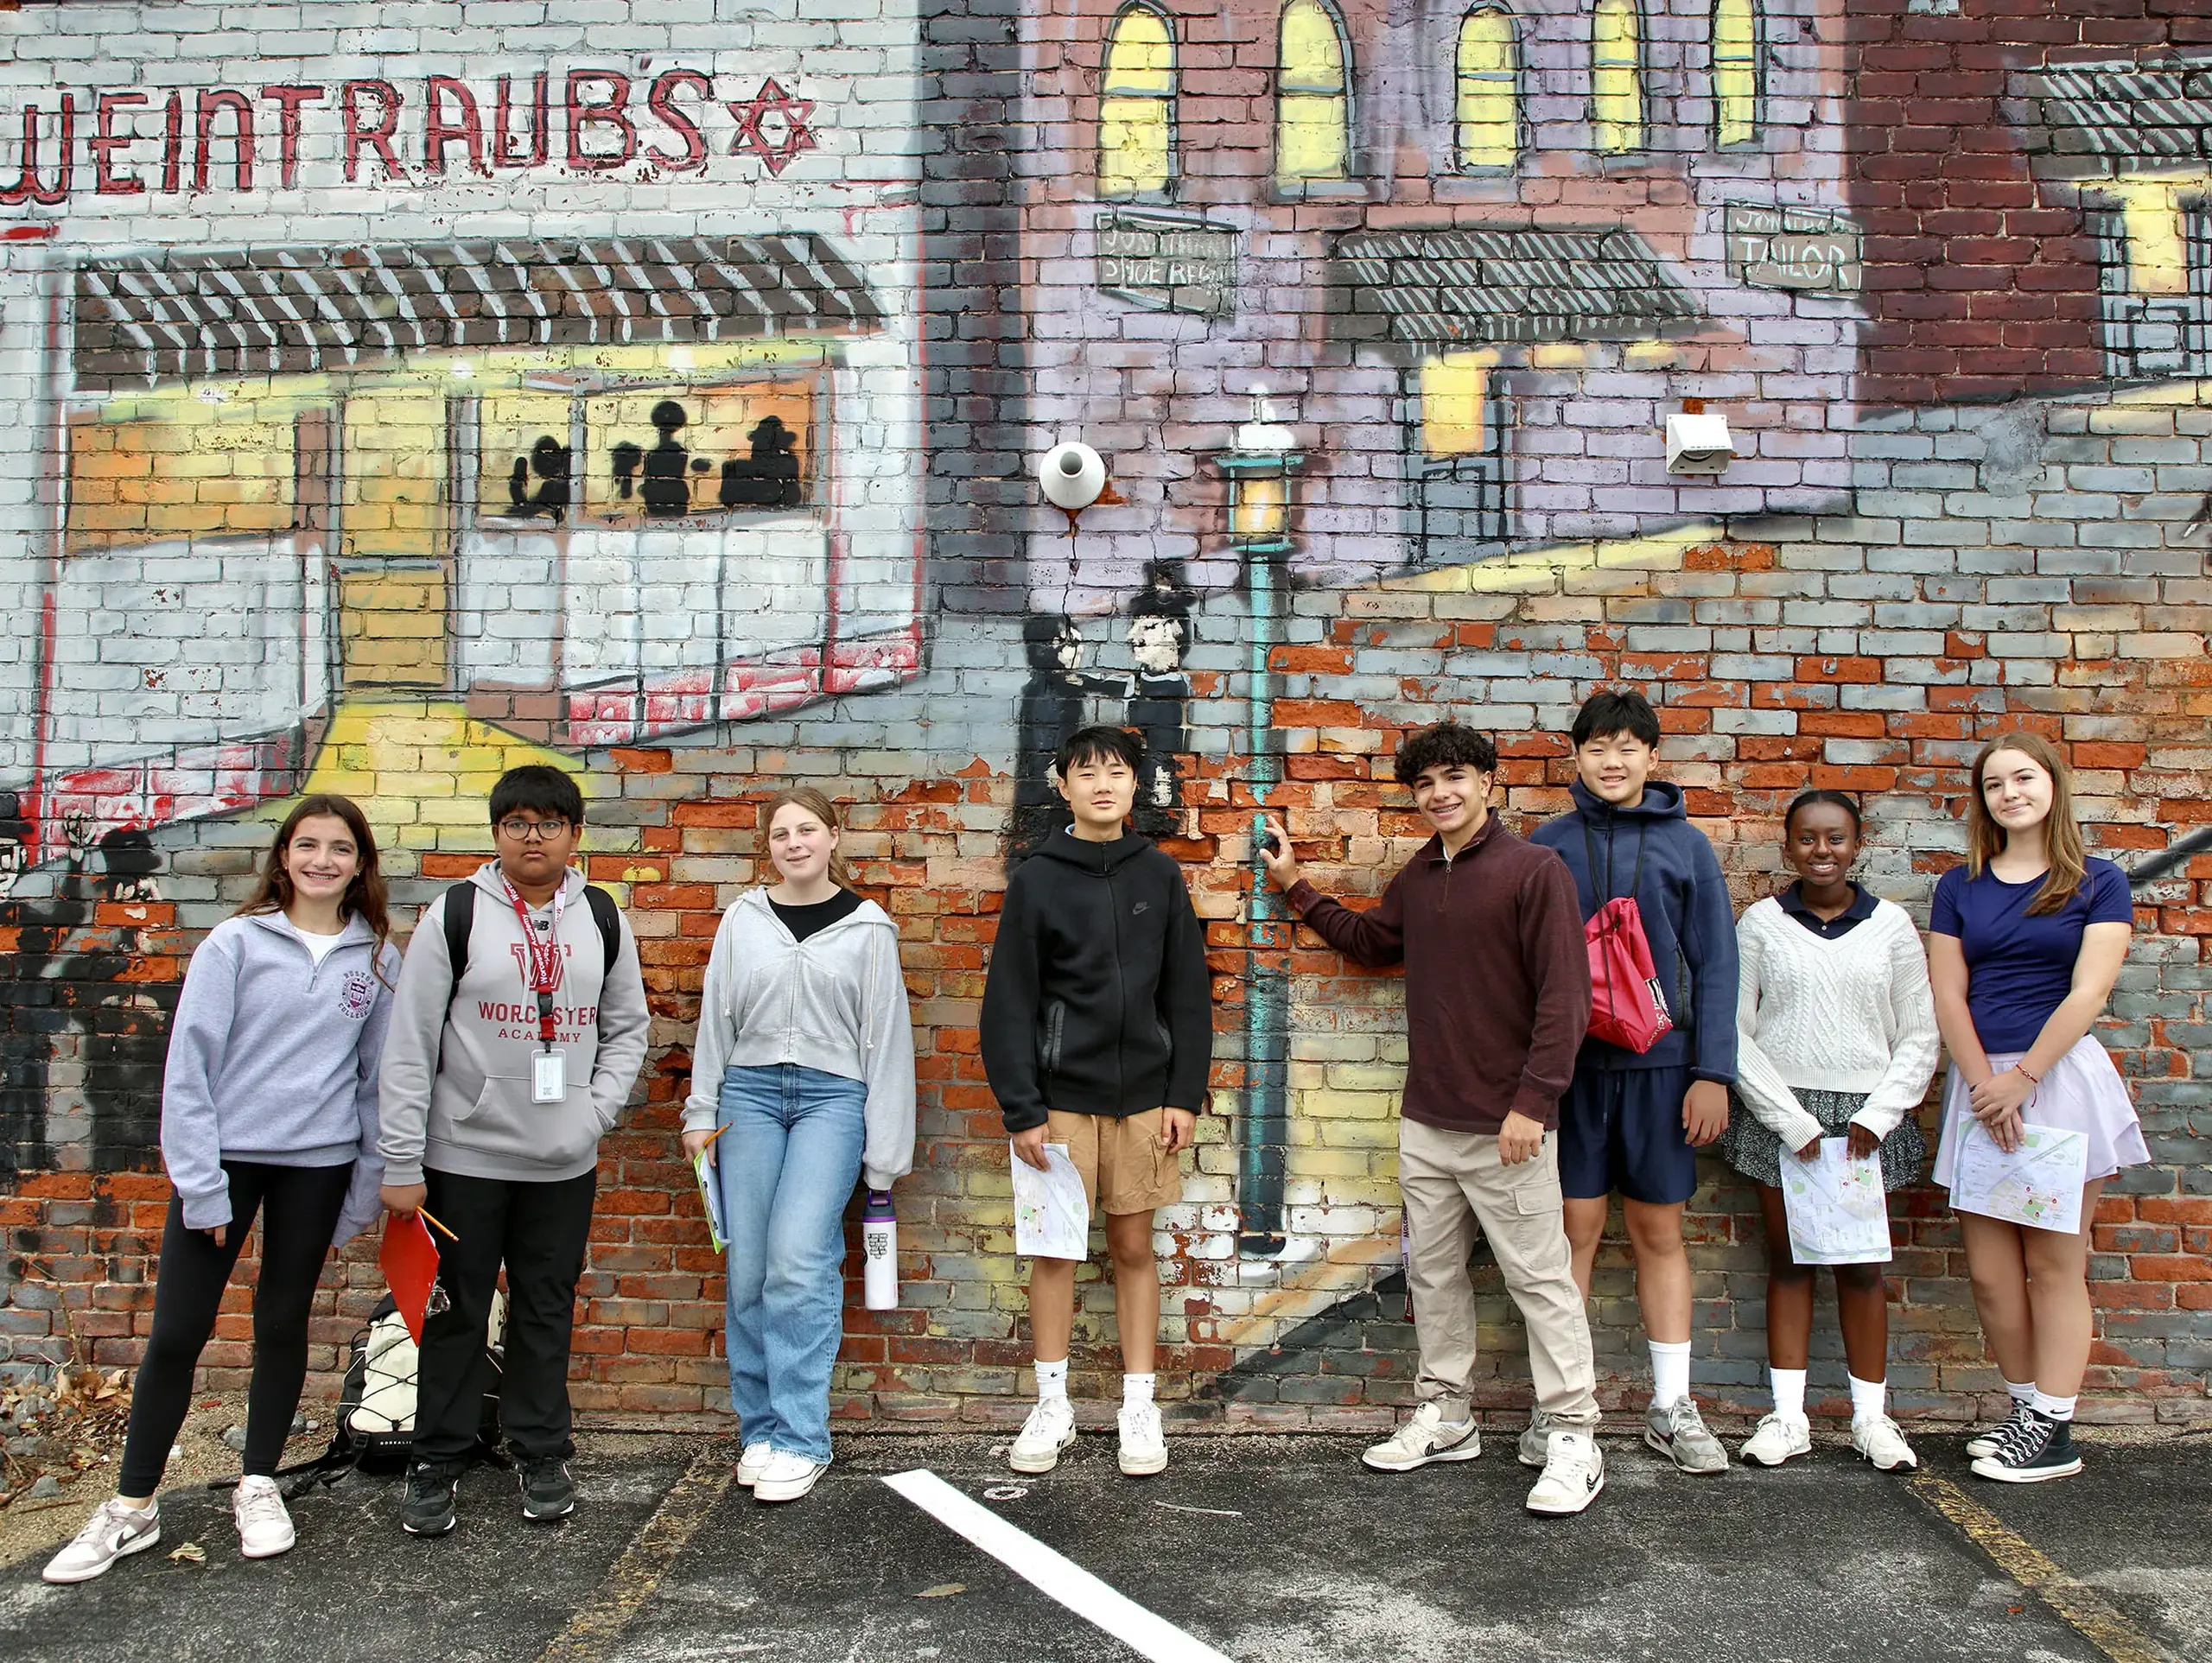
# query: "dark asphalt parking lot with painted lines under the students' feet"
1251,1549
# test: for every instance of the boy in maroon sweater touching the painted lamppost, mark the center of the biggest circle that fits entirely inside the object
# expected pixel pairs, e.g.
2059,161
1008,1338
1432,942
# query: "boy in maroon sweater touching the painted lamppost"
1496,1003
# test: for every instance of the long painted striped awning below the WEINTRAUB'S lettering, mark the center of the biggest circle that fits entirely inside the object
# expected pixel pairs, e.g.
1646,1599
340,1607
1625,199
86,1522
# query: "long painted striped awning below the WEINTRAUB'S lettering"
174,315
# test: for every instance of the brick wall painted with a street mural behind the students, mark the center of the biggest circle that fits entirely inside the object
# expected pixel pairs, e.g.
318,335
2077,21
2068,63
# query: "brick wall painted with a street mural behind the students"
404,393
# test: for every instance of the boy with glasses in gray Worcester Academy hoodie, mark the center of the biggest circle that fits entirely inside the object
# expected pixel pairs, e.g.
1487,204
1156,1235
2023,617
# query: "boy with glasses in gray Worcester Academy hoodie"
519,1032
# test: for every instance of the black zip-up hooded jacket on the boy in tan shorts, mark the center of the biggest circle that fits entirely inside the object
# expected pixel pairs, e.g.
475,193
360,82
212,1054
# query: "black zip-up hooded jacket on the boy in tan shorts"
1098,998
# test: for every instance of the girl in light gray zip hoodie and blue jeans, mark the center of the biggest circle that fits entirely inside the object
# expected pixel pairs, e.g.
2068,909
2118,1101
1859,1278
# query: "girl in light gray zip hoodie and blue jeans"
802,1082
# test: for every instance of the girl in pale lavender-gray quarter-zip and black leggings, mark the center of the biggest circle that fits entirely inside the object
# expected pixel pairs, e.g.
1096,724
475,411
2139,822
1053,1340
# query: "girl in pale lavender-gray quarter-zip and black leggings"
269,1107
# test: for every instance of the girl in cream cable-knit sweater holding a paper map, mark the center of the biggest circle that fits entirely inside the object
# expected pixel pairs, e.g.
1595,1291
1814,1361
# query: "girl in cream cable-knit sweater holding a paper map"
1837,1038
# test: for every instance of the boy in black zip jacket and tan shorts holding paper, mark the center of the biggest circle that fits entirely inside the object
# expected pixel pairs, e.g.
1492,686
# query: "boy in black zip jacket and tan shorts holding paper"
1098,1034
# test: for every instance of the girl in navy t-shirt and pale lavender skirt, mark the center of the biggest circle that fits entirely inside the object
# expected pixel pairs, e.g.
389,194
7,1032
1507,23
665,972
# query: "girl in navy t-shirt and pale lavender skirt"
2025,945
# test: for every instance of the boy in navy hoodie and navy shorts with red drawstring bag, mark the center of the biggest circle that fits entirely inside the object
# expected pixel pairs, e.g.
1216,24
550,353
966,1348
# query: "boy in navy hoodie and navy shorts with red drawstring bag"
1634,1122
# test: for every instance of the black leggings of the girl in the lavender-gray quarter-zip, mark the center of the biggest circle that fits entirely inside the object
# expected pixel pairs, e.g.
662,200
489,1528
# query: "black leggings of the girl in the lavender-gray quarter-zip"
300,1211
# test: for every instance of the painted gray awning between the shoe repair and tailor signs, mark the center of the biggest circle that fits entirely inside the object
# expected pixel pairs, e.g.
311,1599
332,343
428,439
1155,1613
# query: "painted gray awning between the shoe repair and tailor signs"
1510,284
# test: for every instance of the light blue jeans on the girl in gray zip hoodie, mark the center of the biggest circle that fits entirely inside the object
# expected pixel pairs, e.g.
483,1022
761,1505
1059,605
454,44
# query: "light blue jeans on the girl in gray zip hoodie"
786,1167
